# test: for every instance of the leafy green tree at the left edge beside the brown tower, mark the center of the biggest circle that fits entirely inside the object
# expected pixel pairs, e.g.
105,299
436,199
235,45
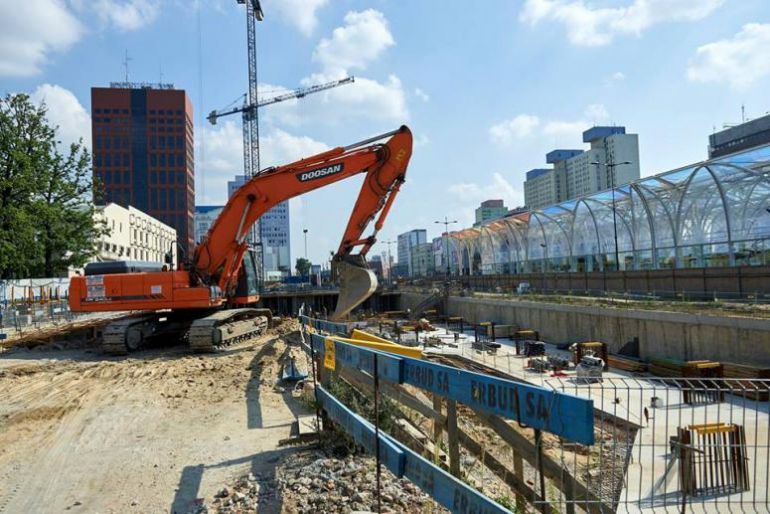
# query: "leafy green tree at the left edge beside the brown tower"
46,216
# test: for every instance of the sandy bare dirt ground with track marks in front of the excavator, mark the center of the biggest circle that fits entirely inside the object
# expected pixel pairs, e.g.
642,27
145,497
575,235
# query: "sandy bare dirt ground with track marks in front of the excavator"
155,432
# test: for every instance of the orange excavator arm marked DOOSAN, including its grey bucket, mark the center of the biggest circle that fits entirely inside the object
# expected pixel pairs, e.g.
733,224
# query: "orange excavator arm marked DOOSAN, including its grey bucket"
218,258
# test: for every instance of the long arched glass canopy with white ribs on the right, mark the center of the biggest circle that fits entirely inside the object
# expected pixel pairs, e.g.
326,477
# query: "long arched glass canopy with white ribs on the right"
711,214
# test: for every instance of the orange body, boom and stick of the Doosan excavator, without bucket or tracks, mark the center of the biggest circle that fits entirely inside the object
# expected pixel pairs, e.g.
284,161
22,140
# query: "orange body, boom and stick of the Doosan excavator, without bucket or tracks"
212,277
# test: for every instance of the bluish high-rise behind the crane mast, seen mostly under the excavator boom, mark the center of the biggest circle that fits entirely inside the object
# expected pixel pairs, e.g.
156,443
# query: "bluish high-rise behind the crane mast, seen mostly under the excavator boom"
273,230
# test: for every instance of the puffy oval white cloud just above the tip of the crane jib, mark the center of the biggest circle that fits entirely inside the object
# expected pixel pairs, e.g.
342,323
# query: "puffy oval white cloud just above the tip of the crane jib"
361,40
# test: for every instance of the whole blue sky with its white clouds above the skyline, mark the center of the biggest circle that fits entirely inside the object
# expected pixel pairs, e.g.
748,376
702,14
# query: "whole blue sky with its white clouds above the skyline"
487,87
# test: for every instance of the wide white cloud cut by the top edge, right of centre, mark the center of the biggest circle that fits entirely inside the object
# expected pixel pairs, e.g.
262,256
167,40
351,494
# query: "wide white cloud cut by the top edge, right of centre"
588,25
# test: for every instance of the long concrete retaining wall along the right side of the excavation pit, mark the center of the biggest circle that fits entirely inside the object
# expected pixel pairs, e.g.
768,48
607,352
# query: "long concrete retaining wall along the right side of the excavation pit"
661,334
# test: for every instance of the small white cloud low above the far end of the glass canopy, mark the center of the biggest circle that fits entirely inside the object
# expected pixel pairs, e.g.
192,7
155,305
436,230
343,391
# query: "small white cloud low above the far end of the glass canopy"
465,196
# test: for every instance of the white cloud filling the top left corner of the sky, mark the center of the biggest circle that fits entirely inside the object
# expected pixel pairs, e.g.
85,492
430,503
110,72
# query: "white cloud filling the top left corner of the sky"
30,31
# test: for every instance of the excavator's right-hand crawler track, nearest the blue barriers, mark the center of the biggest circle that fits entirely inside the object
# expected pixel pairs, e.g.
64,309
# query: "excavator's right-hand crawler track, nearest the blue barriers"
226,327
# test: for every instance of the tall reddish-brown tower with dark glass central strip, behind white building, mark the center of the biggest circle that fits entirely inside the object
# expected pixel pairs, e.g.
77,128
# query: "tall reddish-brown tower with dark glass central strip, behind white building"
143,152
